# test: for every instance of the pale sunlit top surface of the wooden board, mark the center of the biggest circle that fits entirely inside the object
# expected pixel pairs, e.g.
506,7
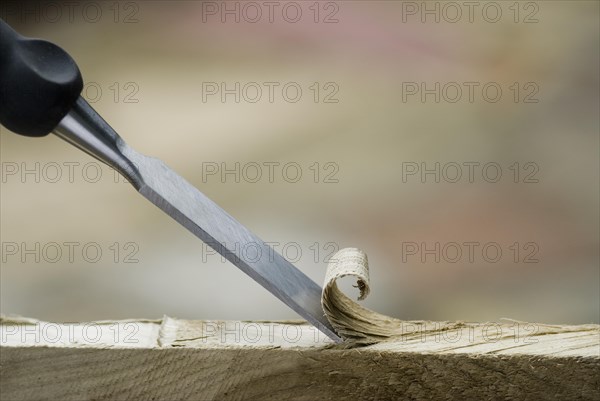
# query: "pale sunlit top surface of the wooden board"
506,338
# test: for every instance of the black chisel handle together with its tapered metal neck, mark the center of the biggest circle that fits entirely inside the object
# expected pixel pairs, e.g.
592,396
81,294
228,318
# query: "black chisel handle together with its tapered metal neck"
40,87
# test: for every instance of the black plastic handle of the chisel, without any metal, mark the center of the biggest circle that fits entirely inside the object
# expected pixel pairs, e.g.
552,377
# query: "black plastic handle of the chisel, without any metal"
39,83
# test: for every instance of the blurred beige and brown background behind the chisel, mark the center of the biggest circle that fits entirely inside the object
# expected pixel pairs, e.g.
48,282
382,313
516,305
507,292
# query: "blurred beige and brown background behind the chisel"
471,205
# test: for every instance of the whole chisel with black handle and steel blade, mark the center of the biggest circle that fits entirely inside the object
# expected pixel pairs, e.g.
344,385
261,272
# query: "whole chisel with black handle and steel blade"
40,87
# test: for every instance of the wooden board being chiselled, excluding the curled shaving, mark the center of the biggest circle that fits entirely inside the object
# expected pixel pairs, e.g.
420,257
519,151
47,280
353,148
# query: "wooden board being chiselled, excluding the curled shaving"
175,359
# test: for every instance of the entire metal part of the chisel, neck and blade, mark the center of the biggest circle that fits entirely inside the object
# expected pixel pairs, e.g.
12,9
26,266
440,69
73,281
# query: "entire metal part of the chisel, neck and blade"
84,128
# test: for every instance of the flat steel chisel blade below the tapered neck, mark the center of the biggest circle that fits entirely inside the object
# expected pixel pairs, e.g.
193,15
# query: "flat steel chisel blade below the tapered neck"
205,219
